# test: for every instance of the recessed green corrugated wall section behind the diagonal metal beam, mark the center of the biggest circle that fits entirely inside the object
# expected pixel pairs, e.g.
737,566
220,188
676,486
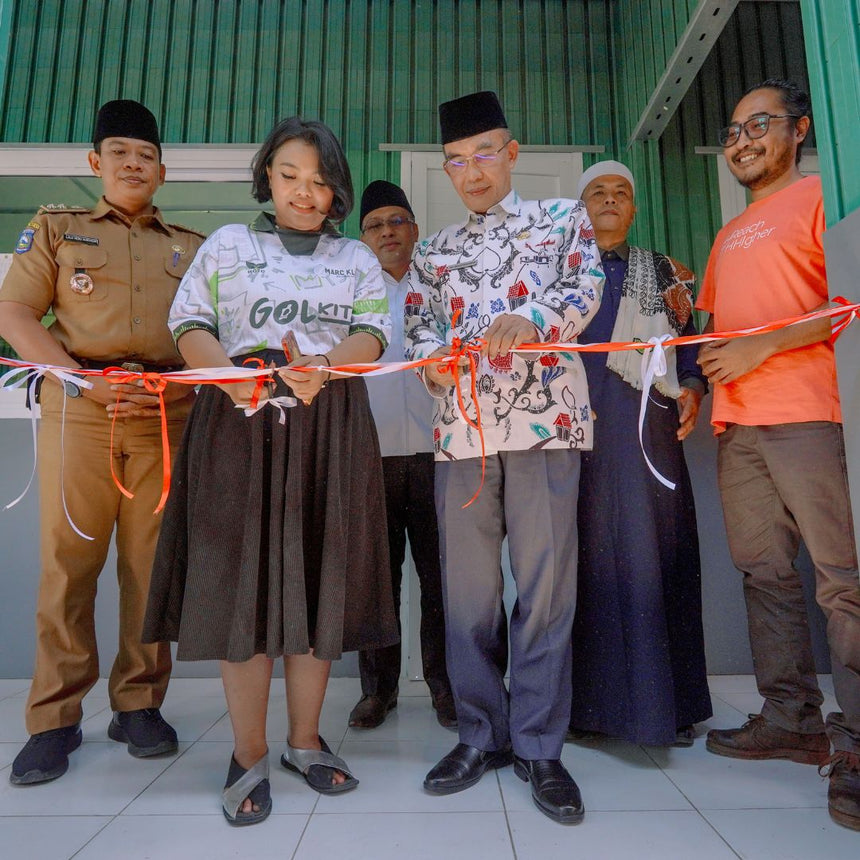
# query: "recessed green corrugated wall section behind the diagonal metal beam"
677,193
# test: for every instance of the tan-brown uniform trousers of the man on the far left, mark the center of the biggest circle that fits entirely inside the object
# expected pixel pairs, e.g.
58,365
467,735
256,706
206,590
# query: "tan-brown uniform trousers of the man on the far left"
67,663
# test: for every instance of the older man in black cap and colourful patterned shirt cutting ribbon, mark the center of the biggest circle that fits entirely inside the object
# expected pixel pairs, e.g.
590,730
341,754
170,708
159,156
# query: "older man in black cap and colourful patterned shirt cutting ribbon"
512,271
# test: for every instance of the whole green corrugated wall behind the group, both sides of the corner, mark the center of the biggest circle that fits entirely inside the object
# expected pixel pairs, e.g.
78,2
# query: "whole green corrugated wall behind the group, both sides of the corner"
567,72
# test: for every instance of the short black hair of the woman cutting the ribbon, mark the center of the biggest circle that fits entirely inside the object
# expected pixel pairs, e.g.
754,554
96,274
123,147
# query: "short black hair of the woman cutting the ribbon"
333,166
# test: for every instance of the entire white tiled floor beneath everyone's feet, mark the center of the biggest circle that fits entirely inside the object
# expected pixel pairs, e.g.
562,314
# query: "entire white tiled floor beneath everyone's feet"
640,802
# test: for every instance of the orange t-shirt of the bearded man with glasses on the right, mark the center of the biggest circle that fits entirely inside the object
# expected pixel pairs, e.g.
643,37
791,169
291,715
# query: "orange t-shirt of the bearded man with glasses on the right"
768,264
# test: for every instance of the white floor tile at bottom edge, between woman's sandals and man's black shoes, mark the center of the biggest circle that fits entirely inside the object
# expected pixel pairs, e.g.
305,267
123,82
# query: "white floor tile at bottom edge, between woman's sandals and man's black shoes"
416,836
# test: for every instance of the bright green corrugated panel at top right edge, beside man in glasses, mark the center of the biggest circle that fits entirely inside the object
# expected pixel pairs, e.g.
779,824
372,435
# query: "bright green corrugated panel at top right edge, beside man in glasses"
833,54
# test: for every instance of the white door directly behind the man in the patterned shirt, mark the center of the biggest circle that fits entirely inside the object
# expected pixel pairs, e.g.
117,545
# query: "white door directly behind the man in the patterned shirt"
537,175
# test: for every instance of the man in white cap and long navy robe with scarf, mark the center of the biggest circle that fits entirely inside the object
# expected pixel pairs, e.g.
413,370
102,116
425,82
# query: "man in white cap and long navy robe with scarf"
639,669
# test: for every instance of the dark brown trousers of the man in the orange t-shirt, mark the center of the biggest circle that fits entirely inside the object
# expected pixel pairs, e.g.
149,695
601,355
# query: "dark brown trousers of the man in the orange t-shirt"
781,483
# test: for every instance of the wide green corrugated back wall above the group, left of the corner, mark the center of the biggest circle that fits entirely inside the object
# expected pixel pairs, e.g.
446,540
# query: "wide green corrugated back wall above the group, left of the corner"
375,71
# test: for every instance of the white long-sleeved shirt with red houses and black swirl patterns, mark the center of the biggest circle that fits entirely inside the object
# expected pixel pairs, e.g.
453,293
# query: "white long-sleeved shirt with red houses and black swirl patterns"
534,258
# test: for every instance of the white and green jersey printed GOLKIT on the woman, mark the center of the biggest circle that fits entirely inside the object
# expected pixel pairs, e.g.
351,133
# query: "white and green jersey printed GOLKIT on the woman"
247,290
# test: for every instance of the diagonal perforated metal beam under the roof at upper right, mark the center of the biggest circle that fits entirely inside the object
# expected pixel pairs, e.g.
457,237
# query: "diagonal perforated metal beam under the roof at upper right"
701,34
